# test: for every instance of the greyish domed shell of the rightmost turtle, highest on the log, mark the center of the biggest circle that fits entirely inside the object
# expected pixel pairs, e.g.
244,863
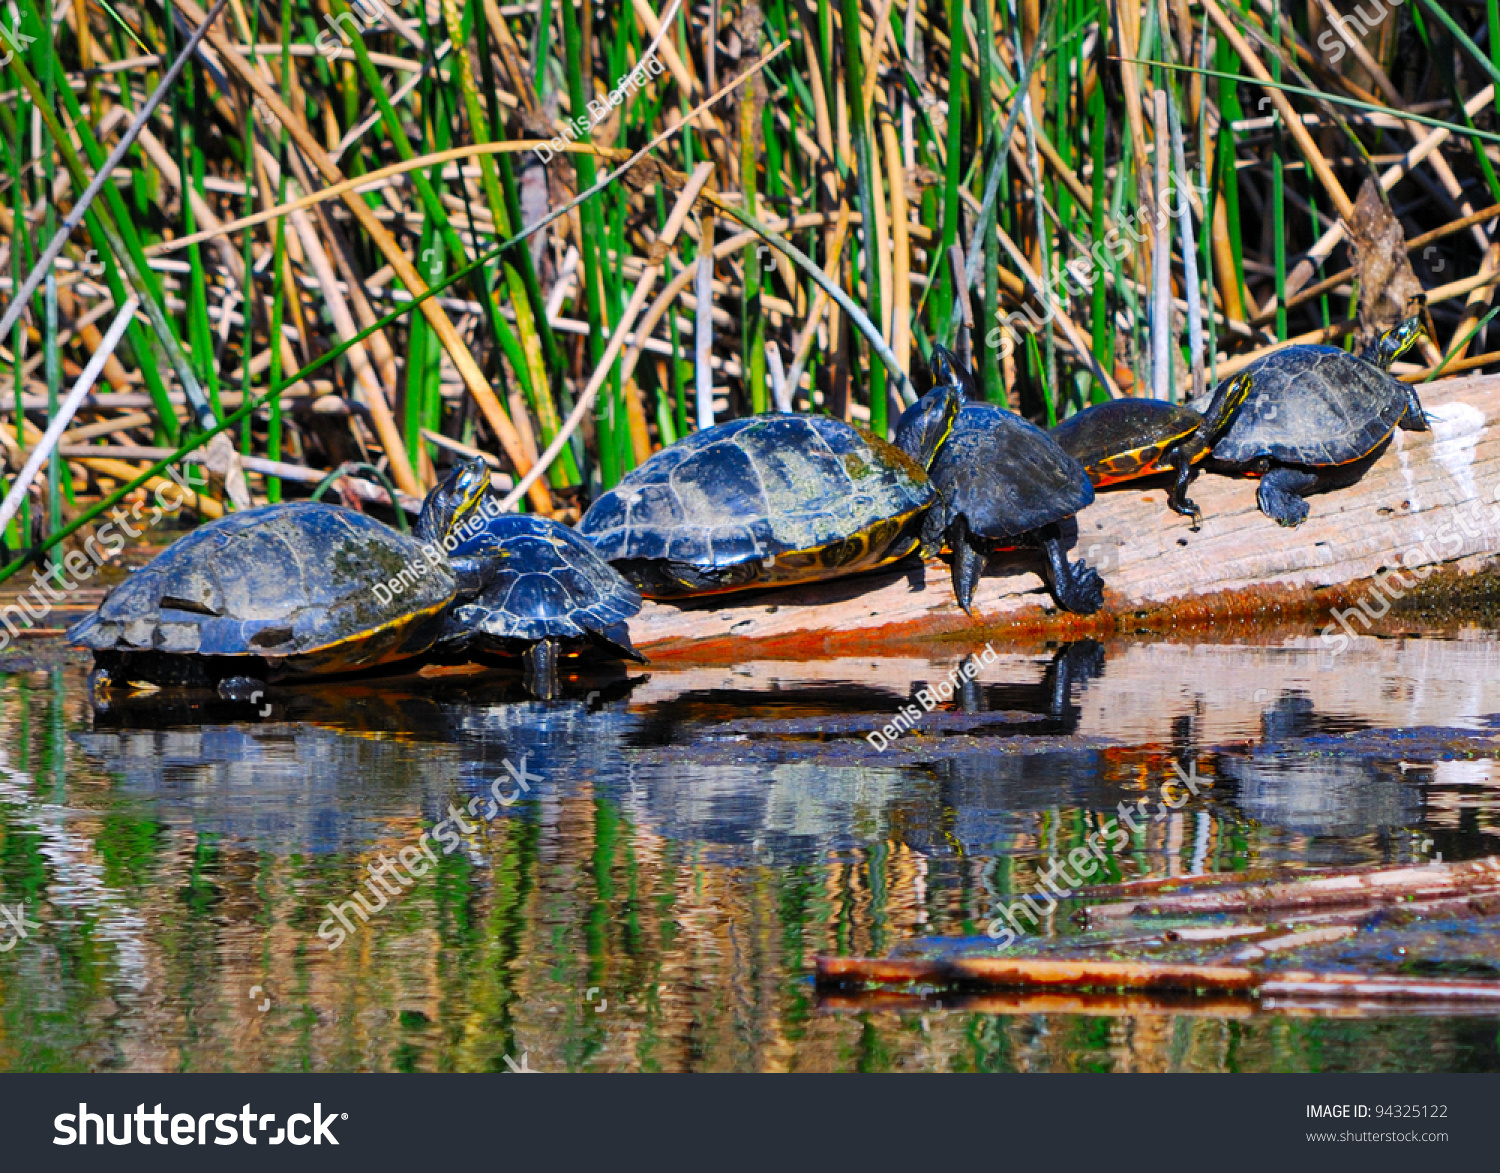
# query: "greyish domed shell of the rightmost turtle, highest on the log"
1315,406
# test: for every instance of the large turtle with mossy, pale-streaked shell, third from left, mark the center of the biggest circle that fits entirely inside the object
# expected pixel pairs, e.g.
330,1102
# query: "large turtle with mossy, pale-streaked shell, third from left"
770,500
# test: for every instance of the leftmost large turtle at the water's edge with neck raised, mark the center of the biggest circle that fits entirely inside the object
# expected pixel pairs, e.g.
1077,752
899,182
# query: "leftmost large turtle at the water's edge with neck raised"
286,590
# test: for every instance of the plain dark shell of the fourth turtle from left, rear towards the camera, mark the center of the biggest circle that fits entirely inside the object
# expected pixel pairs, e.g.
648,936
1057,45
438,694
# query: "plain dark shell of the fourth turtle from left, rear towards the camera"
1006,476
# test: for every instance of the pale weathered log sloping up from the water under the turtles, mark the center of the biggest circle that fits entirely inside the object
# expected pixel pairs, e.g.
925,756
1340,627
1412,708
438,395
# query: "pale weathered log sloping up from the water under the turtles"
1429,499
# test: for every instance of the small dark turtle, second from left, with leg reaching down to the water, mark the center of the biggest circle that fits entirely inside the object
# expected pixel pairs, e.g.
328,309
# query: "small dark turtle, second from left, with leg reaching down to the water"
547,592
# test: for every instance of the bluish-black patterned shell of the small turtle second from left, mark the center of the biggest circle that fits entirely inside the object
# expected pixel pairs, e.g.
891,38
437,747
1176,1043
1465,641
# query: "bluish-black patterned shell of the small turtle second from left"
551,584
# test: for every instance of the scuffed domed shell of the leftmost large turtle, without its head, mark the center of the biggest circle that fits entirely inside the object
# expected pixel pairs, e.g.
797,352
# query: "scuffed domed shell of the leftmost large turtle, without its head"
280,581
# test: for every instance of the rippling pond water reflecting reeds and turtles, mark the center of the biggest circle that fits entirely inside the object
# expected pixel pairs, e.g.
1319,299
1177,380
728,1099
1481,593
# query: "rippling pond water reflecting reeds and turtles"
689,839
